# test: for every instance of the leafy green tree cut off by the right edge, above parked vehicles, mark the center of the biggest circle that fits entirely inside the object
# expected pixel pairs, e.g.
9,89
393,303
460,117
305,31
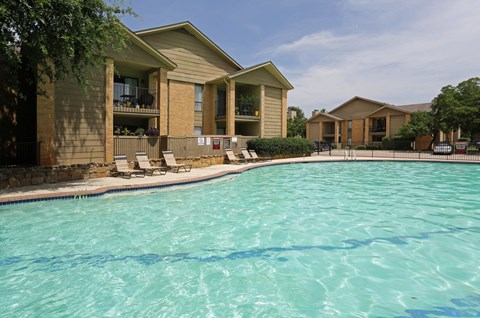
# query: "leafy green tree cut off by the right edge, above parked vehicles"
459,106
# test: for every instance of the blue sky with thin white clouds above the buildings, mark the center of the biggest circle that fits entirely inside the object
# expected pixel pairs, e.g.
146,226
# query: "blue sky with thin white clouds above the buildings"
393,51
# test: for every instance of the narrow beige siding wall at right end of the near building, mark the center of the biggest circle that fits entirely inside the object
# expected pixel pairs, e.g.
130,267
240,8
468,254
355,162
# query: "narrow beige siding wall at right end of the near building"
273,112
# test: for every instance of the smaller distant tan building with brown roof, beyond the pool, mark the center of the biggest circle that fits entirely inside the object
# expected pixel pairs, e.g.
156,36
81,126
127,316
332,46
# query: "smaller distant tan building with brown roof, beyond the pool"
360,121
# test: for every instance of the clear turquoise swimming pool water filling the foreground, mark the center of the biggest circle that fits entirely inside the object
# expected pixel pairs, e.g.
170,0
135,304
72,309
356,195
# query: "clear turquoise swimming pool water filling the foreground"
378,239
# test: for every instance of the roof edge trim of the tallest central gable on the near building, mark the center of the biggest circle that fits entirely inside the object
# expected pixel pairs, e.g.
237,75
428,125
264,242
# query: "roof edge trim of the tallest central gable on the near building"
187,25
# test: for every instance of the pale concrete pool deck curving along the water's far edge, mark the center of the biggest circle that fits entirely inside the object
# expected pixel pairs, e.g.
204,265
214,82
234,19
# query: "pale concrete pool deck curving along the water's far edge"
89,187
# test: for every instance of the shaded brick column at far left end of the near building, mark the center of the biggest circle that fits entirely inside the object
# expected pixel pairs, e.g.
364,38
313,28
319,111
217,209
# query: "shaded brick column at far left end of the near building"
46,130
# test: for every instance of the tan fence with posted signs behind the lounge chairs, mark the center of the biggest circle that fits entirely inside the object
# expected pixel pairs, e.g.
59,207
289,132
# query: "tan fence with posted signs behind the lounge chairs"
182,146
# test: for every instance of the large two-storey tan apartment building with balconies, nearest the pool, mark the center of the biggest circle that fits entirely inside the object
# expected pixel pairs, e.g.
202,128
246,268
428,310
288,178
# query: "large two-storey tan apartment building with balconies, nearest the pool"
172,78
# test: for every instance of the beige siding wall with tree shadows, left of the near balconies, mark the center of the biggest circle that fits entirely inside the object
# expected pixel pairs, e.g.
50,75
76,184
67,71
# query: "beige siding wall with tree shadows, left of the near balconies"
80,121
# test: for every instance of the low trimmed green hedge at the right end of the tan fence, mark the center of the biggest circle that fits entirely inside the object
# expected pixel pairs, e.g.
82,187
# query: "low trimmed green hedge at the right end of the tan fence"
281,146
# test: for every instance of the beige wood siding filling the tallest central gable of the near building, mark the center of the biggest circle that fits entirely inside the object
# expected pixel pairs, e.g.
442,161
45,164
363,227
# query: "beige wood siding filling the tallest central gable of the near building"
196,62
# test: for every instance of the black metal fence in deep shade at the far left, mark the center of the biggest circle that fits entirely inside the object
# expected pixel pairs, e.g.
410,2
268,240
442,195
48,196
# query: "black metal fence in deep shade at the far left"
20,154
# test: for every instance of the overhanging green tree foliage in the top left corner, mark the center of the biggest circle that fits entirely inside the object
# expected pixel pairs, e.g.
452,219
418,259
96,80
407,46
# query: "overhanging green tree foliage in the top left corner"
49,39
